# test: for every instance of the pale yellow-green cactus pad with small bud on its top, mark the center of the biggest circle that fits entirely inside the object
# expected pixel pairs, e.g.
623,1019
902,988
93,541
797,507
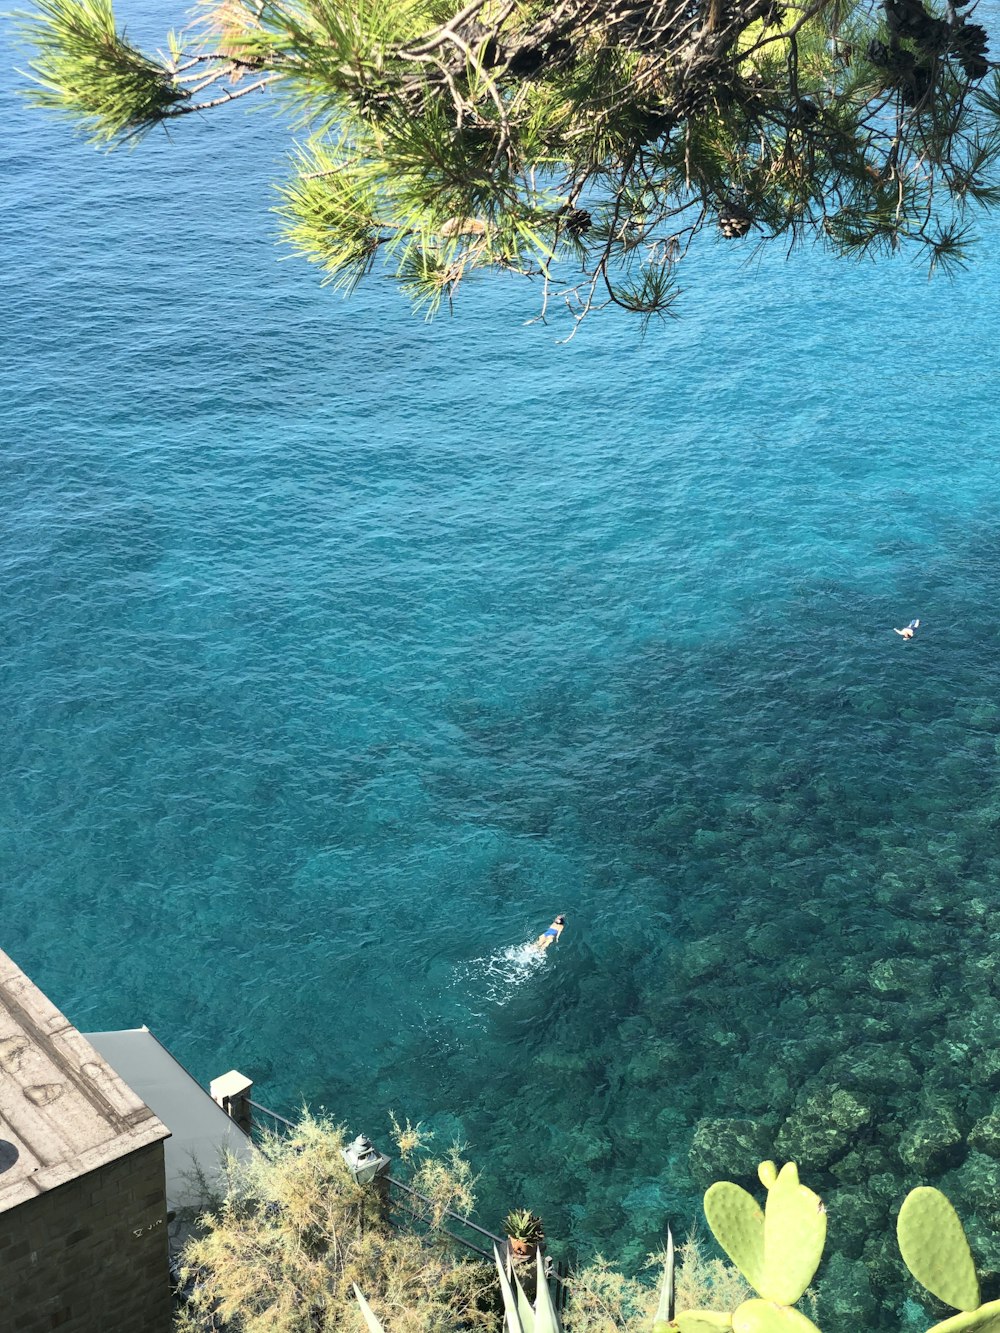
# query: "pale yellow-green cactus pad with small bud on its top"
795,1232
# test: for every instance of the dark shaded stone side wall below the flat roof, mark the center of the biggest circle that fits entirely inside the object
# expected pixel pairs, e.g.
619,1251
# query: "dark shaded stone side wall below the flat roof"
90,1256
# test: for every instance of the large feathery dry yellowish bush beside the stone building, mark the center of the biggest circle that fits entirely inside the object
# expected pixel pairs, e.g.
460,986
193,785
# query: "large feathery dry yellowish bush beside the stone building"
295,1232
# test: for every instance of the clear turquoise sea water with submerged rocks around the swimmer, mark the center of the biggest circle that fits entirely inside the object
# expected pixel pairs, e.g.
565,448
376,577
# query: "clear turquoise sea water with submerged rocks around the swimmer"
342,651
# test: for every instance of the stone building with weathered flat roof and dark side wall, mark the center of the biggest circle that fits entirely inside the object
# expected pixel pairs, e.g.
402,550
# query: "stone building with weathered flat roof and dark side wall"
83,1206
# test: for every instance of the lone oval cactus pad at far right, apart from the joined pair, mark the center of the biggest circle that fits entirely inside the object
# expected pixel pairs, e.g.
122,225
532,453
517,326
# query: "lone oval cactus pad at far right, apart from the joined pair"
934,1248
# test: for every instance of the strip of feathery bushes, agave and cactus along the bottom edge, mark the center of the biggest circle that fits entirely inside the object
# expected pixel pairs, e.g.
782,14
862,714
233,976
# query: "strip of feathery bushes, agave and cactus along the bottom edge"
297,1246
